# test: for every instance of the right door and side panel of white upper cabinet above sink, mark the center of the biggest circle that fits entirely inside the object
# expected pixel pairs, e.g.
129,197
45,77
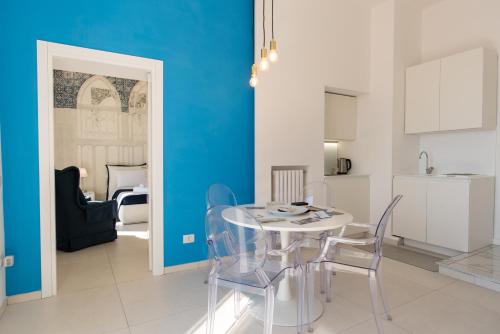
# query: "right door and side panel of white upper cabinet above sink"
468,90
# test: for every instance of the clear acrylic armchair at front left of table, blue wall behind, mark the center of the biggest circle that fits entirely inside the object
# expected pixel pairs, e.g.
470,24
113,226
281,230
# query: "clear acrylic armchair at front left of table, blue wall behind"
243,262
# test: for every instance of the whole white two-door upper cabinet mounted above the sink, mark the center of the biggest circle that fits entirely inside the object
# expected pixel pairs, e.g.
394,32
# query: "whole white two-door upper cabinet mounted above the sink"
454,93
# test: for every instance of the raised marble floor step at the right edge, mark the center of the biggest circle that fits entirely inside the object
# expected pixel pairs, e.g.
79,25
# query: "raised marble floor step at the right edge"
481,267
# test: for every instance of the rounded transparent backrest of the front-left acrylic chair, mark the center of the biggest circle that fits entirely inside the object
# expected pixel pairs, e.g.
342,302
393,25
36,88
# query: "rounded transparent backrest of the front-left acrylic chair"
238,242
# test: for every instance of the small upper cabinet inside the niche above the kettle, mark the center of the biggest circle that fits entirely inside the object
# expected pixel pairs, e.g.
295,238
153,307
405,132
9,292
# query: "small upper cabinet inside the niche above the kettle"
340,117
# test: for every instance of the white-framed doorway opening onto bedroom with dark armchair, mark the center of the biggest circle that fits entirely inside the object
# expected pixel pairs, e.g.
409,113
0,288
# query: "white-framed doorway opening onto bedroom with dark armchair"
100,127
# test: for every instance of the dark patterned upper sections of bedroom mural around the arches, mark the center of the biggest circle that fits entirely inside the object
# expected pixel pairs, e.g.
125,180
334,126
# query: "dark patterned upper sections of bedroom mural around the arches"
68,84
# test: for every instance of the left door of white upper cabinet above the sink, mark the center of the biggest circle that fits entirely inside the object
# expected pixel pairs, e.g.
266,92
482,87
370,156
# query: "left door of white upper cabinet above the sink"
422,97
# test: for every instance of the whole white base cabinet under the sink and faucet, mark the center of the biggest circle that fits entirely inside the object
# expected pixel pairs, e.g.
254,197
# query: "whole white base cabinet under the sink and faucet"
455,212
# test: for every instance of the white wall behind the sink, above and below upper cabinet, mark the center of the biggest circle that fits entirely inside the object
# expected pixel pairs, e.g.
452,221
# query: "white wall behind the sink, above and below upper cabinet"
449,27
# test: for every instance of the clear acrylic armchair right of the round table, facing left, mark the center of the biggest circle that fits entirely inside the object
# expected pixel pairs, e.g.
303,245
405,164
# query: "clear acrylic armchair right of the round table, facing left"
353,260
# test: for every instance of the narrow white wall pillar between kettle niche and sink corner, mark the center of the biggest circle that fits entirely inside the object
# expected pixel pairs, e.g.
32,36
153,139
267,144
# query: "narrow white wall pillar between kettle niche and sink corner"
371,152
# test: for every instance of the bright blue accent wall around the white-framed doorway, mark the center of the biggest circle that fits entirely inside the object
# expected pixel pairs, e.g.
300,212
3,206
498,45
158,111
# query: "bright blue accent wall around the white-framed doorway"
207,50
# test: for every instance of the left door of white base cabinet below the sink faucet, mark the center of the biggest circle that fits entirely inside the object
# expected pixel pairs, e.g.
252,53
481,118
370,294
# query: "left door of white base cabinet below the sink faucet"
409,216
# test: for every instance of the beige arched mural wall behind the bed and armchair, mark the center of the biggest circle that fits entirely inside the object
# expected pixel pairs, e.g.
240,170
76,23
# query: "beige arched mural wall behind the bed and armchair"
99,120
